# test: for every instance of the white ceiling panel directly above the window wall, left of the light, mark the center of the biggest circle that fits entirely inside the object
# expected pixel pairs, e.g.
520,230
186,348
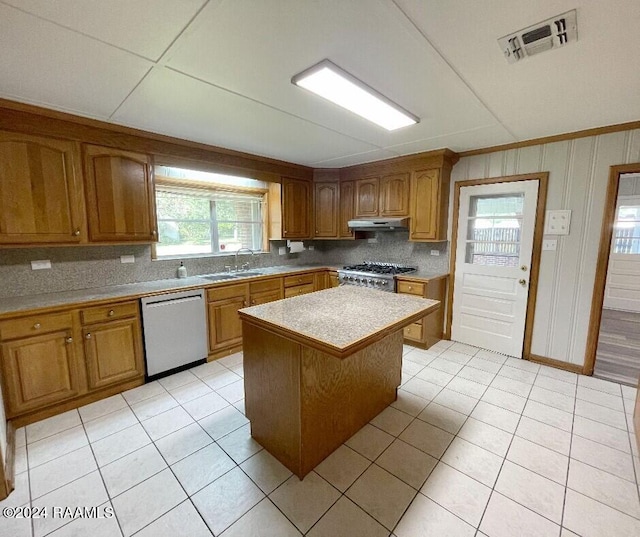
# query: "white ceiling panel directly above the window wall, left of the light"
171,103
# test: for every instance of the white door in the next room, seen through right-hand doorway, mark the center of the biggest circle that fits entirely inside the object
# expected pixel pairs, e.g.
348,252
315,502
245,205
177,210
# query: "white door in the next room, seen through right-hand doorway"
622,291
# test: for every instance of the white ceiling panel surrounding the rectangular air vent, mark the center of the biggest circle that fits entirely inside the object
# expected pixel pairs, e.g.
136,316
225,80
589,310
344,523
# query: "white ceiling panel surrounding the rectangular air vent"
586,84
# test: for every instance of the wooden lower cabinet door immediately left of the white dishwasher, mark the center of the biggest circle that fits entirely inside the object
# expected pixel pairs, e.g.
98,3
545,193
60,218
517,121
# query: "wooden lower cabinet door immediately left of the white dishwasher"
113,352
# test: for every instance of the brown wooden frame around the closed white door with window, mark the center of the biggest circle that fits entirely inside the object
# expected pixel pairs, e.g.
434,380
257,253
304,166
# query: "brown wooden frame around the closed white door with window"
543,179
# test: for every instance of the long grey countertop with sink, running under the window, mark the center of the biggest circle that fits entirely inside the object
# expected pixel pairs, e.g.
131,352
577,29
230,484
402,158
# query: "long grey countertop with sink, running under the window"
19,304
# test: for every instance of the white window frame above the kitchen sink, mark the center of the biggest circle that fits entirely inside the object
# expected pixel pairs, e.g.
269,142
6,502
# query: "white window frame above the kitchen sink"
195,186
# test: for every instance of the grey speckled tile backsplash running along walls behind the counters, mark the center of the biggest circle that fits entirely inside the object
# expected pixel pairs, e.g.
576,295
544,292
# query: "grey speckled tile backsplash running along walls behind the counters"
88,267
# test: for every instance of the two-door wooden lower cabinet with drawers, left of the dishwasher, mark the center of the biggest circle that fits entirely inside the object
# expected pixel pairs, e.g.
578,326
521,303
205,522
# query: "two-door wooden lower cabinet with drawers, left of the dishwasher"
44,365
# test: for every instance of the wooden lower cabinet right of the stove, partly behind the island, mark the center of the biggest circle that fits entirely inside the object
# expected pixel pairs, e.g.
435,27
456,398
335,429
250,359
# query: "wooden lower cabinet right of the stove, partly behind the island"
427,331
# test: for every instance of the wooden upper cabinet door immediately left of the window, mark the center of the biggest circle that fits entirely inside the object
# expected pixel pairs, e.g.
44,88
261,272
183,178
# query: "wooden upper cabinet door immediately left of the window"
120,197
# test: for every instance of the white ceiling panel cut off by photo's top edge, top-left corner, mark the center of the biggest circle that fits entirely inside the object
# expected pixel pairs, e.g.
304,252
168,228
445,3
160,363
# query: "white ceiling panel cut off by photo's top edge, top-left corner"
145,27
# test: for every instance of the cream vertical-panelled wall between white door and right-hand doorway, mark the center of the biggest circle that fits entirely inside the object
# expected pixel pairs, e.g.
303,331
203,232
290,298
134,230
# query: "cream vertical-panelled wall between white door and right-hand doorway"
578,175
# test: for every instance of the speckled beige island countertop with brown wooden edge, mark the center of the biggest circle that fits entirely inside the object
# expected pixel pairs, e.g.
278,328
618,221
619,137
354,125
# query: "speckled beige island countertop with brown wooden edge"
341,320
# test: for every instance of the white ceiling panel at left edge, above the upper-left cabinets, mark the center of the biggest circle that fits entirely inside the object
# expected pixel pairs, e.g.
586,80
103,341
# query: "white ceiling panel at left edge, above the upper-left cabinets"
45,64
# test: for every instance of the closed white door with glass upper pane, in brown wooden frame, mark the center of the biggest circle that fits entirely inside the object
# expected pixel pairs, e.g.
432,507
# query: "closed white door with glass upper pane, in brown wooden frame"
495,239
